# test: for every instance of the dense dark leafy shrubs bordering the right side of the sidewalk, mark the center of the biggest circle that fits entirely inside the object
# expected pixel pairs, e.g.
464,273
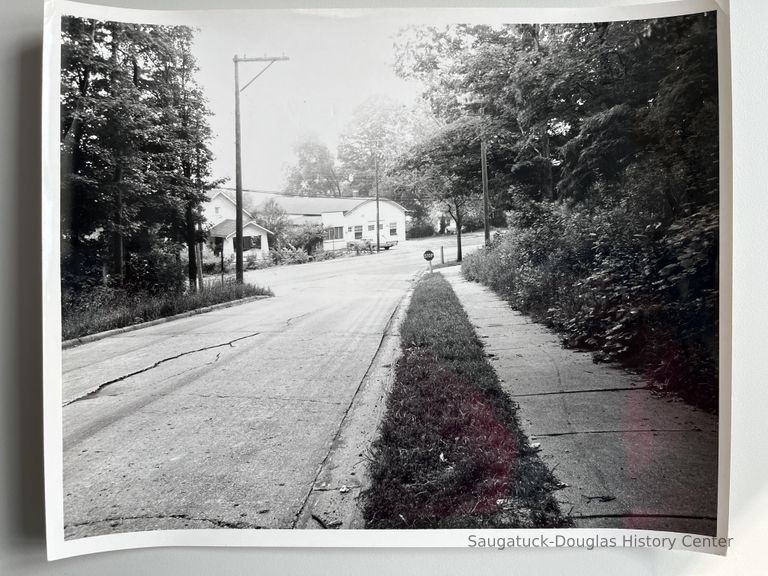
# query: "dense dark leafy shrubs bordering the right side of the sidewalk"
630,289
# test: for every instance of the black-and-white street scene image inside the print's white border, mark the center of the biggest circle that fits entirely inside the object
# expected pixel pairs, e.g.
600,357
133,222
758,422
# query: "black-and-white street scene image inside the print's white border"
343,270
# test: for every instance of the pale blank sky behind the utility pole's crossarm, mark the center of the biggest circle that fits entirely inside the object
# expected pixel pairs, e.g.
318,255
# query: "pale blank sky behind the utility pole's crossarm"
337,61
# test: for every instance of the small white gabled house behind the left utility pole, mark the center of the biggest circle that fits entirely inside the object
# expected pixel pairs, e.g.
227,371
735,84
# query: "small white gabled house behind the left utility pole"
220,212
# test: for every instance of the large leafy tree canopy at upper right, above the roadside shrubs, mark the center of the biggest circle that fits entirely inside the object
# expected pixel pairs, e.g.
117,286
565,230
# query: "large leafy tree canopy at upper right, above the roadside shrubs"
574,107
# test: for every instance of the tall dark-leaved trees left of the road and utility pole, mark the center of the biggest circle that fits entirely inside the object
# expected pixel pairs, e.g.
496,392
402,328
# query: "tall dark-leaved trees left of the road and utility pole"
135,155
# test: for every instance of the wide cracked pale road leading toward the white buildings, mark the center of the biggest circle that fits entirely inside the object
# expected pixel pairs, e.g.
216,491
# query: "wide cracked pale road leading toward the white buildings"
223,419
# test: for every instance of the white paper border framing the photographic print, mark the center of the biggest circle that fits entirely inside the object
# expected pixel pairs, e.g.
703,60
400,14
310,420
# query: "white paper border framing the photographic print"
58,547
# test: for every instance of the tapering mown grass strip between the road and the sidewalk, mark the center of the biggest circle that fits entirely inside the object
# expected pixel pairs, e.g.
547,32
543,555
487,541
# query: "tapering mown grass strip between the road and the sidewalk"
451,453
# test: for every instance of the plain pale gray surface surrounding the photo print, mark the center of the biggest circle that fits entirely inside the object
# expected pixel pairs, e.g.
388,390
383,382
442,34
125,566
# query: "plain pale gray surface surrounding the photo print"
22,545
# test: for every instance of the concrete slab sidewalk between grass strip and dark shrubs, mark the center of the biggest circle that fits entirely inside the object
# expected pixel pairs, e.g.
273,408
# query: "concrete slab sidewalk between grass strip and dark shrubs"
629,459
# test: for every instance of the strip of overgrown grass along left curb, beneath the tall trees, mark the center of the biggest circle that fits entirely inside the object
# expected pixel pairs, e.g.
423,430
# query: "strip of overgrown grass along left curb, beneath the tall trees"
102,309
